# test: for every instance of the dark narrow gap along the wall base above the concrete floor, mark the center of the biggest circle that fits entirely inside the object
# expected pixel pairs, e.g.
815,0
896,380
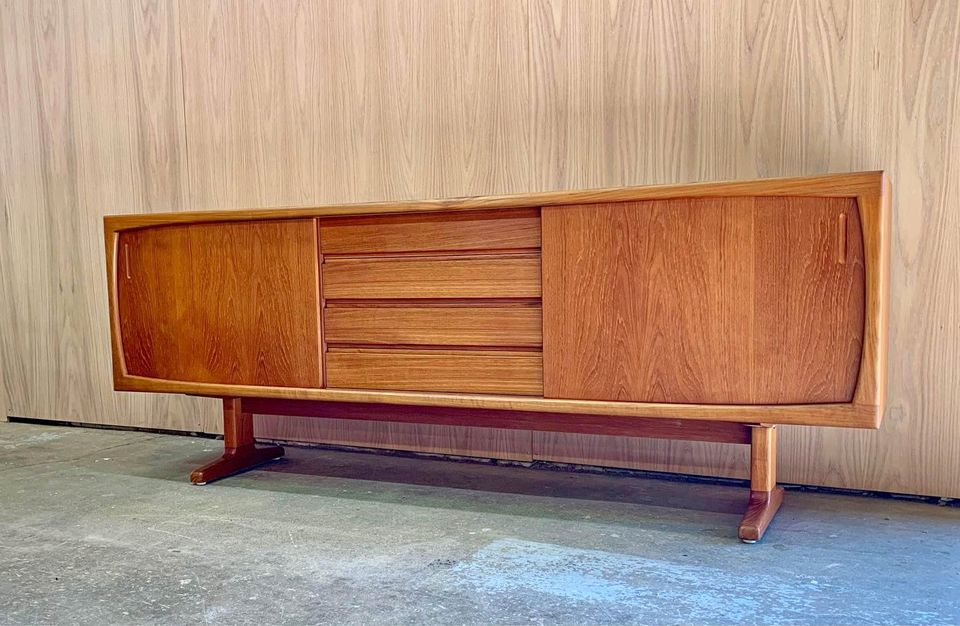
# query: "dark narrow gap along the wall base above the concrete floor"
535,465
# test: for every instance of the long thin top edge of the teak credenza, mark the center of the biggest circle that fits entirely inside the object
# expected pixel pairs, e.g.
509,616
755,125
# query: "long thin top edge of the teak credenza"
848,185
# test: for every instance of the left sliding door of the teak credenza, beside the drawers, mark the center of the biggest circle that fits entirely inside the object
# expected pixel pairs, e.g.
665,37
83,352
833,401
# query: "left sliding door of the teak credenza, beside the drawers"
221,303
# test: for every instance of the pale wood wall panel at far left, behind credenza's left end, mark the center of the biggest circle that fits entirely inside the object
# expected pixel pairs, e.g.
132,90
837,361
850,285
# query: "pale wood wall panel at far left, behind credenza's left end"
91,118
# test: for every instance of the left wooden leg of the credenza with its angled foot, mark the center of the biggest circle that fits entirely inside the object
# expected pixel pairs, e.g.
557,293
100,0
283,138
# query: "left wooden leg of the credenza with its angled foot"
240,451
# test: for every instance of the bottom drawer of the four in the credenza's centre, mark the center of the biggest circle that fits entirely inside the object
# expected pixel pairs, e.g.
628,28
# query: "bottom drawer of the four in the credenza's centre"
458,371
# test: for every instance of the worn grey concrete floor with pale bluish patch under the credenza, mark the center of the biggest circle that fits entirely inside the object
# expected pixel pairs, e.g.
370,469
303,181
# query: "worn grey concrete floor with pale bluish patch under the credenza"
102,527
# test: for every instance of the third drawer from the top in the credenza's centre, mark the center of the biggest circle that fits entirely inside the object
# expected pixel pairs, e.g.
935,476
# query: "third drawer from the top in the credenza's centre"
515,326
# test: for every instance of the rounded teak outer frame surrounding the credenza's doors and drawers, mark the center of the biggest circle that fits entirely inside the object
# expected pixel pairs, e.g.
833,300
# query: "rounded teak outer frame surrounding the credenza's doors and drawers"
870,189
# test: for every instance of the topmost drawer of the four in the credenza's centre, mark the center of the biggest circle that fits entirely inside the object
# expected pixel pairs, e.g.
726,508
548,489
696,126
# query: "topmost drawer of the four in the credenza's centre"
488,230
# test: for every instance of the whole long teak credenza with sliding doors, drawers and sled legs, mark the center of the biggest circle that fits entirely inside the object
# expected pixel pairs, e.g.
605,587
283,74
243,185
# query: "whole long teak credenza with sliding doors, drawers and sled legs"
707,312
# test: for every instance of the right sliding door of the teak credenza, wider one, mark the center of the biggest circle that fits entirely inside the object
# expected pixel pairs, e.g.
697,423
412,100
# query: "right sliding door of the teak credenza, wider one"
741,300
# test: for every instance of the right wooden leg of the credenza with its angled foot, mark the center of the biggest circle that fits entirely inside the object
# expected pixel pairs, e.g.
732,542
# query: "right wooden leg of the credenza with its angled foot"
765,495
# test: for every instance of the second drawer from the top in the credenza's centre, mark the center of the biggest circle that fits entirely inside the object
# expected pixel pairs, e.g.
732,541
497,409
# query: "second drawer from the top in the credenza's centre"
456,277
